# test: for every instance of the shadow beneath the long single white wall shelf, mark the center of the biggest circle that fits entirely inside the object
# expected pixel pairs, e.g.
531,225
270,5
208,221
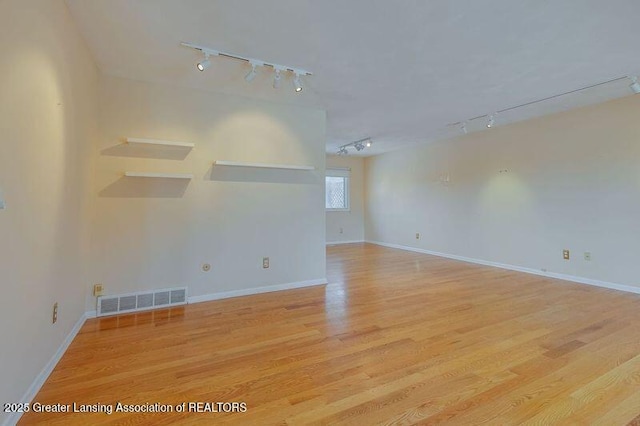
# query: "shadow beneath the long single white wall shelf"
253,174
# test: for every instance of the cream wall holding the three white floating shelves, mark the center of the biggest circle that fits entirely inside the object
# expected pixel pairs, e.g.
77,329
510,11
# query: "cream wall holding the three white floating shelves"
157,233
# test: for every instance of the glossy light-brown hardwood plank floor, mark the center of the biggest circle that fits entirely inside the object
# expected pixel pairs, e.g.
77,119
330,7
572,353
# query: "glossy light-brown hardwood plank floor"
395,338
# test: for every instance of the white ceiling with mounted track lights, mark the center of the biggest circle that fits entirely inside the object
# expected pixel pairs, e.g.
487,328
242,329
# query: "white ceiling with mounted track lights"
396,71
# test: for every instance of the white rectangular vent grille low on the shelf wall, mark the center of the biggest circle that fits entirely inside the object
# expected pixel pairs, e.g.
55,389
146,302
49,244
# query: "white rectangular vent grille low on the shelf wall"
141,301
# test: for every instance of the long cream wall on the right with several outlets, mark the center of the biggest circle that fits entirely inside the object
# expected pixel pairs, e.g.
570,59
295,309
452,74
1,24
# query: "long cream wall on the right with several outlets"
572,181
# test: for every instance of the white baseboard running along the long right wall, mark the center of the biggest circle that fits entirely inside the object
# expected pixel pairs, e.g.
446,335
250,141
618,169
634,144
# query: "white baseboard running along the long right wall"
572,278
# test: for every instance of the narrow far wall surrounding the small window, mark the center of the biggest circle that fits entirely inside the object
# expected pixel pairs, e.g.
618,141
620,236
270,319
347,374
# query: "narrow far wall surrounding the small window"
351,222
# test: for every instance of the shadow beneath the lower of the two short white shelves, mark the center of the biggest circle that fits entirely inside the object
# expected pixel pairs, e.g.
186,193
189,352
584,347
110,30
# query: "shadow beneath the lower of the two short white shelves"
141,187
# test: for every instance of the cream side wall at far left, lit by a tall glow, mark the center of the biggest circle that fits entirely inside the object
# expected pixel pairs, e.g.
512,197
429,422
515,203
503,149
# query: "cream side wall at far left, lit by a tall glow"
48,120
